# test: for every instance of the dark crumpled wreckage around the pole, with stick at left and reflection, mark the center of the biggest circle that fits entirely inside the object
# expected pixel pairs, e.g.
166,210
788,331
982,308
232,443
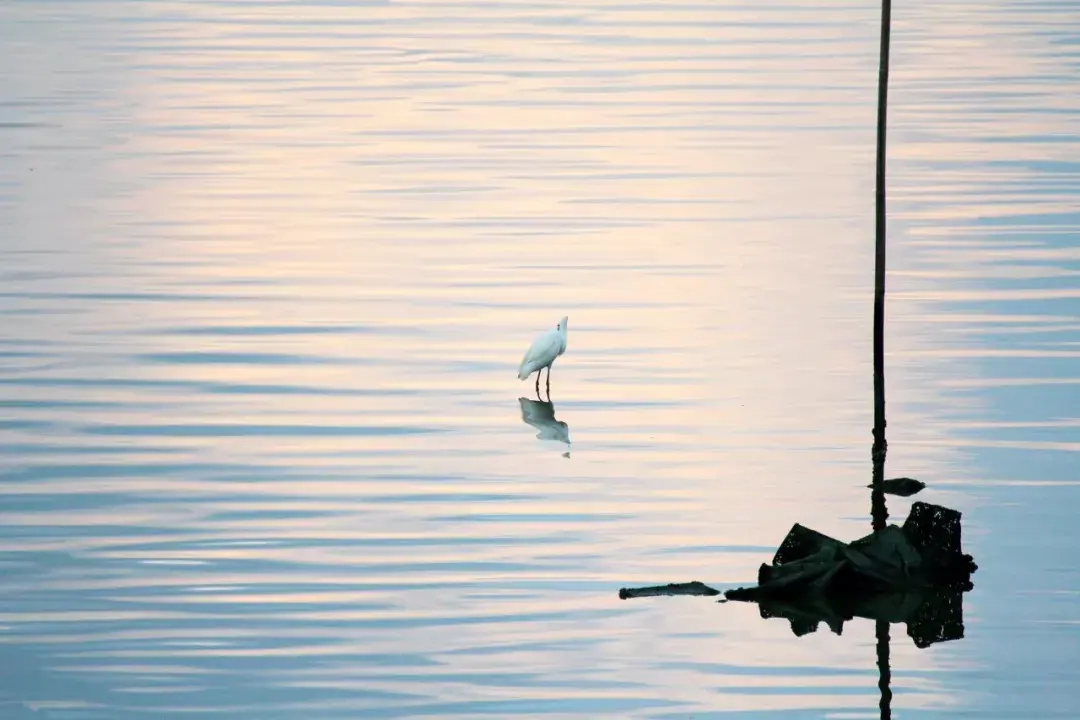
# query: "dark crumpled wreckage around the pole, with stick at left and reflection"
914,575
